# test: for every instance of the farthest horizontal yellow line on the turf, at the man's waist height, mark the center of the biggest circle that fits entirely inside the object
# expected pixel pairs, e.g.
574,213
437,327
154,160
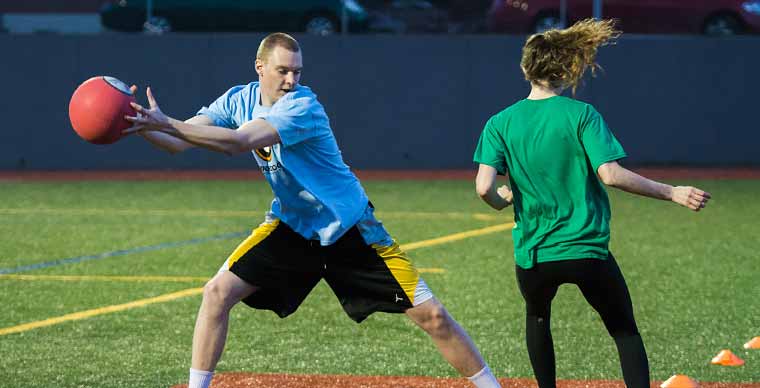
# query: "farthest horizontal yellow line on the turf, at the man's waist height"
230,213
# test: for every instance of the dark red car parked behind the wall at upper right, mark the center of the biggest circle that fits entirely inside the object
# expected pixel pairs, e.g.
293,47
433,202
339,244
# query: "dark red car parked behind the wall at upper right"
710,17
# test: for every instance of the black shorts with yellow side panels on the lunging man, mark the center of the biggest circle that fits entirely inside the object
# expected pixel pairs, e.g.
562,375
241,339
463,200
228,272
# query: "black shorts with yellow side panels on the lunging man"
286,267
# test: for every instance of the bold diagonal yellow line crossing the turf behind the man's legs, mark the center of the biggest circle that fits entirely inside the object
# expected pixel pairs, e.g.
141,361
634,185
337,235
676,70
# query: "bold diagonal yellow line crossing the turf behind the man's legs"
195,291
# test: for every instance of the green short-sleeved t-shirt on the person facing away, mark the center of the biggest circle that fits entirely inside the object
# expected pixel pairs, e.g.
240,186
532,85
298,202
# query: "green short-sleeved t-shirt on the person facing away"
552,149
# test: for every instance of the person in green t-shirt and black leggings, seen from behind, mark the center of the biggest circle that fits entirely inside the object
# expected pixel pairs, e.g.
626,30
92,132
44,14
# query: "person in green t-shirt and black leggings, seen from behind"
558,152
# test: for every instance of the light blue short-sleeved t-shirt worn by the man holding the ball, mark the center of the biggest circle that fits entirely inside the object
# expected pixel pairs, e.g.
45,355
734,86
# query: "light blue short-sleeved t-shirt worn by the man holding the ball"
315,192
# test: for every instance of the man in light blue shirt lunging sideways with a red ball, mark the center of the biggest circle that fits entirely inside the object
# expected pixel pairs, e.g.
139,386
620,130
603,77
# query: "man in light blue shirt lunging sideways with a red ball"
320,226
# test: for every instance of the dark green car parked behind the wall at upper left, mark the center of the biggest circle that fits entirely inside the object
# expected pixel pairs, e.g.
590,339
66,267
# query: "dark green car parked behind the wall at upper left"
321,17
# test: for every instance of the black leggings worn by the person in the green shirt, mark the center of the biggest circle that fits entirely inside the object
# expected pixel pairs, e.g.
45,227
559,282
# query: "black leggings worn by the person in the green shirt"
603,286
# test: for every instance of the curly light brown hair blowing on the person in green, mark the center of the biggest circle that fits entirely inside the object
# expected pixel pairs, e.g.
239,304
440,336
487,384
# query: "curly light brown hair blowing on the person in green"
559,58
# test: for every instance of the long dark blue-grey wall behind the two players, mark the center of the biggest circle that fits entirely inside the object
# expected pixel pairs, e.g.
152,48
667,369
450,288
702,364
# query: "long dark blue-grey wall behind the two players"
395,102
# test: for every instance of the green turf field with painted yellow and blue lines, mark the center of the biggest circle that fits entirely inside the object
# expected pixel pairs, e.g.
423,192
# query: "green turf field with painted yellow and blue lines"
70,247
